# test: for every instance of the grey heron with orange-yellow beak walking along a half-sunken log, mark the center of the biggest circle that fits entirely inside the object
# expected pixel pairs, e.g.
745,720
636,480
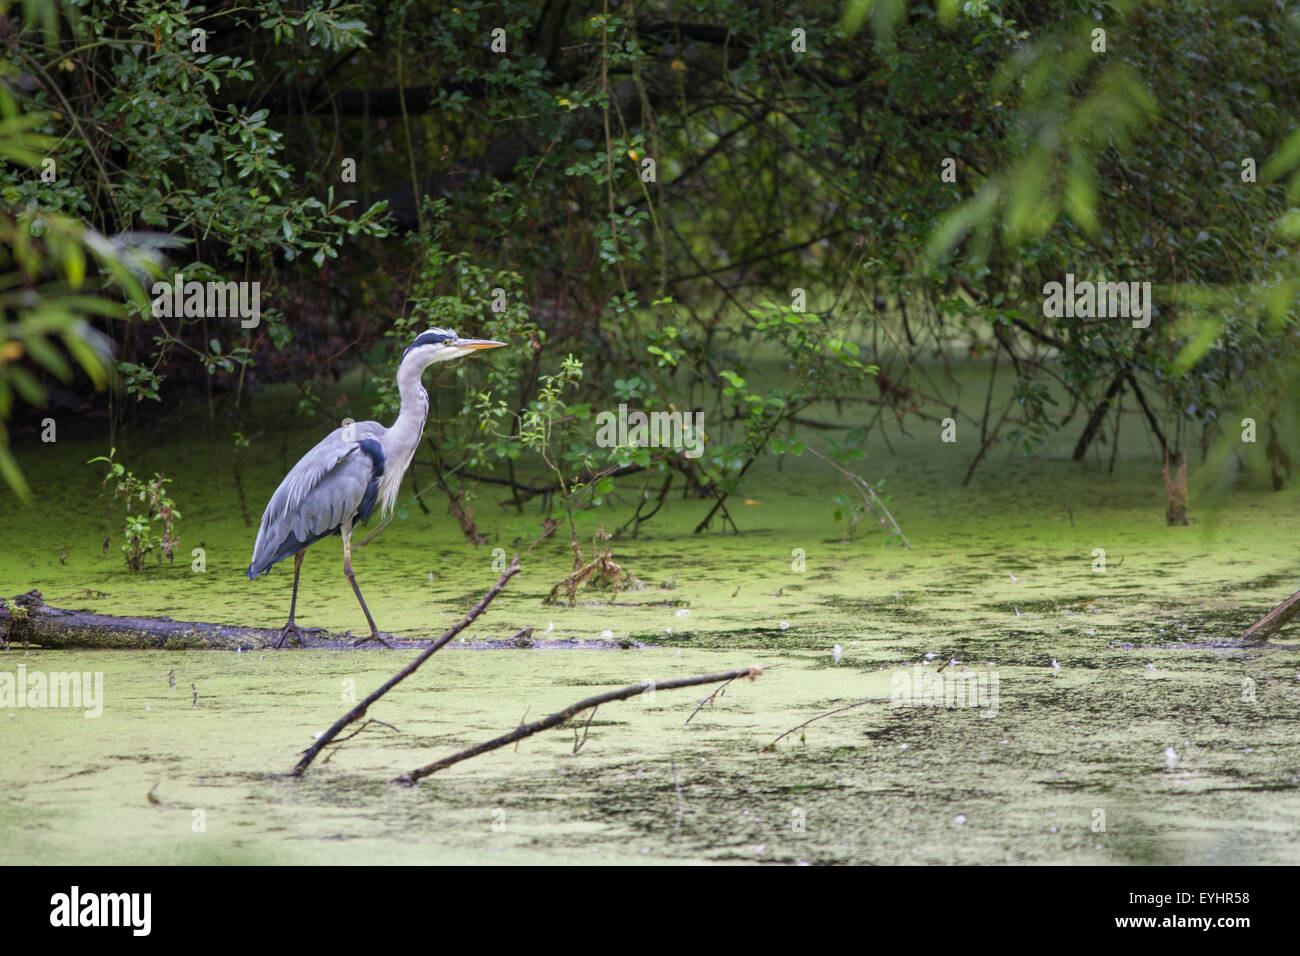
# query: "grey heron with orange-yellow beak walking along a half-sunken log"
356,468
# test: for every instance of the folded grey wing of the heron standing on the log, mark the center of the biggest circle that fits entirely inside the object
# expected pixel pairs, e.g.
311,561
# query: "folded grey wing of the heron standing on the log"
330,486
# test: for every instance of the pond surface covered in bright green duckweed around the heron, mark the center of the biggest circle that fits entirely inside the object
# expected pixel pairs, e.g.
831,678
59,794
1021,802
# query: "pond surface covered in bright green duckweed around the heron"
1117,723
